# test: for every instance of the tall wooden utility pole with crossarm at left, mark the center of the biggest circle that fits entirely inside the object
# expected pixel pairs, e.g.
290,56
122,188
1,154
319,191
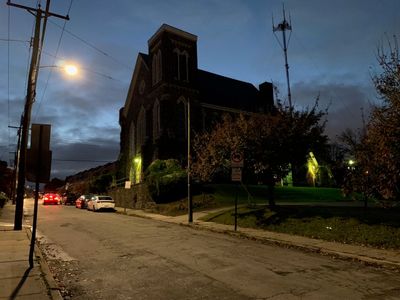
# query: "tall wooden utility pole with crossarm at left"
30,98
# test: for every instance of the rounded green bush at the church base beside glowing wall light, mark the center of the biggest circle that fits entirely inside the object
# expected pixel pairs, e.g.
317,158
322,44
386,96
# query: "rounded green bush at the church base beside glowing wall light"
166,180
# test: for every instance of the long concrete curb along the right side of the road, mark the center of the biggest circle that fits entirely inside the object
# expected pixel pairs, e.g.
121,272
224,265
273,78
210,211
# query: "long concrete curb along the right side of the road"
313,247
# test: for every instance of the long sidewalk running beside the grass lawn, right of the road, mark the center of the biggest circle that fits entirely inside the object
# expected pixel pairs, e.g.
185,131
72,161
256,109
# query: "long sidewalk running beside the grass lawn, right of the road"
378,257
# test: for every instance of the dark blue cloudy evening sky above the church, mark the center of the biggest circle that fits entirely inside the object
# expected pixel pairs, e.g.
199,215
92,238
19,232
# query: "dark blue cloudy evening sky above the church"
332,53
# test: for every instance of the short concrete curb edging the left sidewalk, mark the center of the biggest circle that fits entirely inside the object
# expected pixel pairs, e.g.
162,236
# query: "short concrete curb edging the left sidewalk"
50,282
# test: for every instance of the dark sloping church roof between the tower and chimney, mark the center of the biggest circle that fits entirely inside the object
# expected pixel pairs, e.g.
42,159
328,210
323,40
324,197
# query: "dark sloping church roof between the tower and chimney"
223,91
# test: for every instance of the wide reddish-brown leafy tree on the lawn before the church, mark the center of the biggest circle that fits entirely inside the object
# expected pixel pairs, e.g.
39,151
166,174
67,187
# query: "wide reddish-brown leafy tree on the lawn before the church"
271,143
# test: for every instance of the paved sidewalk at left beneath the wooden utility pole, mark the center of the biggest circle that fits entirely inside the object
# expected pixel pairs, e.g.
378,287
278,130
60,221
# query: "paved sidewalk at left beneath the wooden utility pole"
17,280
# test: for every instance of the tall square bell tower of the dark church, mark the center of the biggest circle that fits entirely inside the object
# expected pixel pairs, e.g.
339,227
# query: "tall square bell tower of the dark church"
173,58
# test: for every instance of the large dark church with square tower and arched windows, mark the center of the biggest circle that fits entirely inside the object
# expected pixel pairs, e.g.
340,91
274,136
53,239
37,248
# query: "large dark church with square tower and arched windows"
154,119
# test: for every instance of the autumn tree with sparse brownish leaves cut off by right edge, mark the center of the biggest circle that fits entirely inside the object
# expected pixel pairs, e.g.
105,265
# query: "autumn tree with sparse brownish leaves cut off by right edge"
377,153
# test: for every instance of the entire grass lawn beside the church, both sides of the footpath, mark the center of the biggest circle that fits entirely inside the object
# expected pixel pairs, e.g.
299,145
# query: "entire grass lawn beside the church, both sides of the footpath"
321,213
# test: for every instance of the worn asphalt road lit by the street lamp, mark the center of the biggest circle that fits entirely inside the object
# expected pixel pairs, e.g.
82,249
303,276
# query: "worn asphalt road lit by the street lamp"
113,256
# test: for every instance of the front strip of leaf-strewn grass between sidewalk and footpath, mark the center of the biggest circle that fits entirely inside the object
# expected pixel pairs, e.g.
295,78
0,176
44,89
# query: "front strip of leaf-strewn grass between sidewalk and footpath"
374,227
